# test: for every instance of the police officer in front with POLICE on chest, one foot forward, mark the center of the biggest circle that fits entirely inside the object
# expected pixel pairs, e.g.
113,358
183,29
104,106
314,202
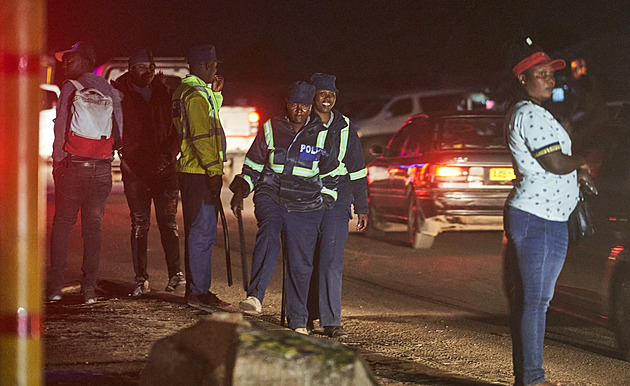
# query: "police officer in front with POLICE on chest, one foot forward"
287,166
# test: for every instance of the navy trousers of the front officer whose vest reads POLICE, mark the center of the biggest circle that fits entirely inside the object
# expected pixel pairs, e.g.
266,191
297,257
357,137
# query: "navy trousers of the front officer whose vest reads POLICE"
301,231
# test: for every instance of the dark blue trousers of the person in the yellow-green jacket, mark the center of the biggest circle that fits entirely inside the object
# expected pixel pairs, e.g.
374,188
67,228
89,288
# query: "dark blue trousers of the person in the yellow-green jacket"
200,229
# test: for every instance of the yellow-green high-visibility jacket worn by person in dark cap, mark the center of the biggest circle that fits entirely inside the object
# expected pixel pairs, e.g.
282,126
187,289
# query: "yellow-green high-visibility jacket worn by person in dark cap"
196,117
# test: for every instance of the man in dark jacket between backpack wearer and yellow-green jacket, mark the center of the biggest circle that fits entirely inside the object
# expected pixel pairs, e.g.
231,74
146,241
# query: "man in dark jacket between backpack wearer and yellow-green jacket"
149,152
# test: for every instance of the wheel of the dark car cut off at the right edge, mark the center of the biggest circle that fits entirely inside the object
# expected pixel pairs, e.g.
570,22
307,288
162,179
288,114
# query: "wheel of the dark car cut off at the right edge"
621,313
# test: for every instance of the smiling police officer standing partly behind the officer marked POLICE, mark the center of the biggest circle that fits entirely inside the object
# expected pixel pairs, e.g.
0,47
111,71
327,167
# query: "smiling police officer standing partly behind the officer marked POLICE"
351,188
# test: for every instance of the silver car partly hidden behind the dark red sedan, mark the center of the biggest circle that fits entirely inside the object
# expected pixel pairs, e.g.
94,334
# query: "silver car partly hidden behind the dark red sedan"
378,118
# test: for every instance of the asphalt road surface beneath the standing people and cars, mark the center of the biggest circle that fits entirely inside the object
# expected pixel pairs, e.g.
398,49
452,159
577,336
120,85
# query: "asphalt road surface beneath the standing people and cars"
418,317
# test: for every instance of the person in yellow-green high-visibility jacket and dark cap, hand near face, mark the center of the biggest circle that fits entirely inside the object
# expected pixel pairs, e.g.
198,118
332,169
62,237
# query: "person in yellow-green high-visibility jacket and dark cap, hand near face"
196,116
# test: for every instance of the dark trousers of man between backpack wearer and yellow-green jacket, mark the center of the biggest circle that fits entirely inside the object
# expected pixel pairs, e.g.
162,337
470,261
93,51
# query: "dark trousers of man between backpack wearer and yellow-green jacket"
163,191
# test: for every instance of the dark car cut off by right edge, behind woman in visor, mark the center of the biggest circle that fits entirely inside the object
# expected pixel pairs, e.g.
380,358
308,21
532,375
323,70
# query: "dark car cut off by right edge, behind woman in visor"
595,281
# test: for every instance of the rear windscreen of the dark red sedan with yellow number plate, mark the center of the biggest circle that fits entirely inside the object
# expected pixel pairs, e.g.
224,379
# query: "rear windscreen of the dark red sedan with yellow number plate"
471,133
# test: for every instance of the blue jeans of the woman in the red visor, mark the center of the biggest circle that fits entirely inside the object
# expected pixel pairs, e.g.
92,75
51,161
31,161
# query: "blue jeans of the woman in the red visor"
534,258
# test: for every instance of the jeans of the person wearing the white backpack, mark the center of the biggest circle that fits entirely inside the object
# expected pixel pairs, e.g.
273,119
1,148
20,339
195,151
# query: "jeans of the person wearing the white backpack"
80,184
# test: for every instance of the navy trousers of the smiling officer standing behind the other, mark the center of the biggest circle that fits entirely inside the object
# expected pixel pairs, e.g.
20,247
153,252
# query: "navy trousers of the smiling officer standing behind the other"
324,297
